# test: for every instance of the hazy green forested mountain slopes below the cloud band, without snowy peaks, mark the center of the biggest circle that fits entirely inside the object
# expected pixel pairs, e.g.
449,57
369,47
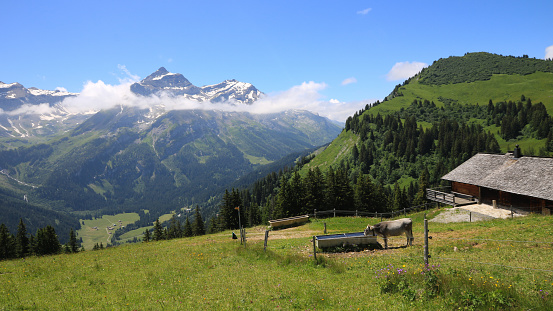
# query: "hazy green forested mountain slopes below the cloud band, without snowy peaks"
117,162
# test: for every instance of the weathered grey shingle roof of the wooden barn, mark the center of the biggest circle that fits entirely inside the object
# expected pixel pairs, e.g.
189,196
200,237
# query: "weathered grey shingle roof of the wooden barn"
530,176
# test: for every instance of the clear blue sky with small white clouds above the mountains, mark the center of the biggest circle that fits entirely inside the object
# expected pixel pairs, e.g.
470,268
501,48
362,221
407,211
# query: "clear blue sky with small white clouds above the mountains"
343,53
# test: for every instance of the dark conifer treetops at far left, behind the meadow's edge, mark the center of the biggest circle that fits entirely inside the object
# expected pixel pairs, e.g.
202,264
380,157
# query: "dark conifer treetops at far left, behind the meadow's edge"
45,242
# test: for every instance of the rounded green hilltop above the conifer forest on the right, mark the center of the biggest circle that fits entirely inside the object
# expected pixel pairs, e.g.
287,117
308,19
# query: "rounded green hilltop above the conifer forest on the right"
476,78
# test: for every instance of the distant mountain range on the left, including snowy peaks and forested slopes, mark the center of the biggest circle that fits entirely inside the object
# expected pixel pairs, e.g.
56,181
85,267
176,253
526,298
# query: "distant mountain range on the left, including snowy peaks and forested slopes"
84,163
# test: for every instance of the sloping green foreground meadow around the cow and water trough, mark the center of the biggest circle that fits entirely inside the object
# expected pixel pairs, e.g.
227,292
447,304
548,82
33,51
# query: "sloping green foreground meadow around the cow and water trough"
499,264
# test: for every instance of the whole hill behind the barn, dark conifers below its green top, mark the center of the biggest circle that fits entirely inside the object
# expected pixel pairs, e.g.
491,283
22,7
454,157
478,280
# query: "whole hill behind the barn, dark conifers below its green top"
390,152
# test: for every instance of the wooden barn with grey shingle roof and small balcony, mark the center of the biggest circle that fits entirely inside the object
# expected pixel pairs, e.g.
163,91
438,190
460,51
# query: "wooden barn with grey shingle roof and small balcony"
511,180
